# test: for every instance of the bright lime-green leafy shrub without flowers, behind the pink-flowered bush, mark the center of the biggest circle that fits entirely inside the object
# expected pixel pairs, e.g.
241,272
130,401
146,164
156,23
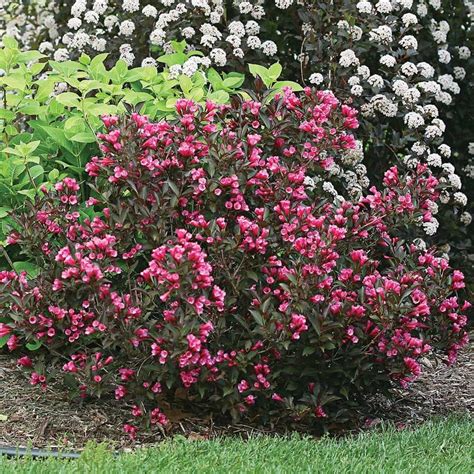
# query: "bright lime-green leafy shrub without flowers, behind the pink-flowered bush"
50,111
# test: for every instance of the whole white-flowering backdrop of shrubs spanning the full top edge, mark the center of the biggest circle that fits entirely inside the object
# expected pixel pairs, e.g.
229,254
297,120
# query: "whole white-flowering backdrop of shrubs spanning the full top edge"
404,63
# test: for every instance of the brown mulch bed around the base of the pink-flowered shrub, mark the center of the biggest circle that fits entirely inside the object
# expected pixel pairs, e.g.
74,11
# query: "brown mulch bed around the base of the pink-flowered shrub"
31,418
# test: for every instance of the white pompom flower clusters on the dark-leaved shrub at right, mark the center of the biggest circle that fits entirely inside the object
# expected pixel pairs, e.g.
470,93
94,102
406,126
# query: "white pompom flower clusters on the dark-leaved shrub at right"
409,83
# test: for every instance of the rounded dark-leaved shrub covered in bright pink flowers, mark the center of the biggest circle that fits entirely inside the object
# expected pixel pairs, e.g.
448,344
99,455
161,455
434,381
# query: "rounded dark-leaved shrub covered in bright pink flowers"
218,264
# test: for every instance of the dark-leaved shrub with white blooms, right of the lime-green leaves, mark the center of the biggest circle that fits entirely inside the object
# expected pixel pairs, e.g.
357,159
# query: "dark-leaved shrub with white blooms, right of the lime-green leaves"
407,64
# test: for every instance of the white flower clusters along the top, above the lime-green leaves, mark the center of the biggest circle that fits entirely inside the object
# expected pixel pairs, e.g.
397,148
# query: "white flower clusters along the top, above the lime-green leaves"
137,27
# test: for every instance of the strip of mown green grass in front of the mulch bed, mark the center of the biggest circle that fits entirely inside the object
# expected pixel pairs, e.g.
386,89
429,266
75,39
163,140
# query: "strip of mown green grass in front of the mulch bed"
436,447
